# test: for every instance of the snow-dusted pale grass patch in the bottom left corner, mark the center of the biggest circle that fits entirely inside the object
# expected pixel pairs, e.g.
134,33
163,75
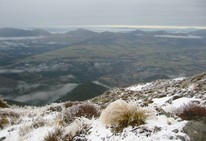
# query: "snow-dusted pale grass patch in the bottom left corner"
34,124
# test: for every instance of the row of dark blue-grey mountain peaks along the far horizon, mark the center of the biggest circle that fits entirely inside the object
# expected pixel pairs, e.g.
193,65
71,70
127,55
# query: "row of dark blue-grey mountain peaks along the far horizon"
14,32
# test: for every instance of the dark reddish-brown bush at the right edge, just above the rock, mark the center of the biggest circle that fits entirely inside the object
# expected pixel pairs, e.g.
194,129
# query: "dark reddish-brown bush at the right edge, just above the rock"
191,111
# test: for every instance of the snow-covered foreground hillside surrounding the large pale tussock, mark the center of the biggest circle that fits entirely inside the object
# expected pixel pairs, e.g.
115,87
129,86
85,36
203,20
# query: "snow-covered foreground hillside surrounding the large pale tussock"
162,99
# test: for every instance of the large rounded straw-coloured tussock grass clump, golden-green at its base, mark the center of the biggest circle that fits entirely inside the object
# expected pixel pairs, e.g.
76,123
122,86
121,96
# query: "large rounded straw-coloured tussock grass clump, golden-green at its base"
121,114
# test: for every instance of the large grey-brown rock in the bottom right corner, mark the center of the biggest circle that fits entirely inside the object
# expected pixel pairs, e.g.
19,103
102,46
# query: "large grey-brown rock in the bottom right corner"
196,129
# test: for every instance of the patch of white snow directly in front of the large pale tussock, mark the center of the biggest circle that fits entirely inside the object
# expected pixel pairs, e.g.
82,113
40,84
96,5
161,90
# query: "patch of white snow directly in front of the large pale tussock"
158,129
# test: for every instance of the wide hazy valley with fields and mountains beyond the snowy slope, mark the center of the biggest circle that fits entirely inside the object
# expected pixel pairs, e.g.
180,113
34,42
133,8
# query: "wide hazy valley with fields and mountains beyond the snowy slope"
48,64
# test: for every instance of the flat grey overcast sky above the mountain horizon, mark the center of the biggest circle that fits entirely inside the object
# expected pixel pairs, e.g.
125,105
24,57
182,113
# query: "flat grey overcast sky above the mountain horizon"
36,13
